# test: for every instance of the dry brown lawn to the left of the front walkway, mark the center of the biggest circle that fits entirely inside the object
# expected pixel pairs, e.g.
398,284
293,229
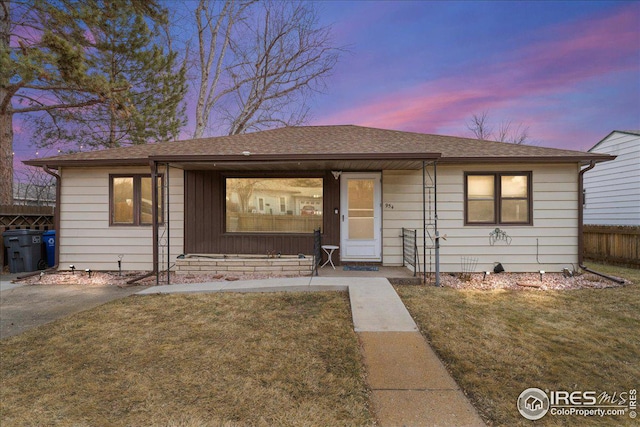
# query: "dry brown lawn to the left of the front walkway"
190,360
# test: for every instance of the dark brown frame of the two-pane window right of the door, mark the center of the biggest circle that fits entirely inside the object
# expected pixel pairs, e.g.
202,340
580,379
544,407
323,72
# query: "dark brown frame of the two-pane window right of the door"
497,188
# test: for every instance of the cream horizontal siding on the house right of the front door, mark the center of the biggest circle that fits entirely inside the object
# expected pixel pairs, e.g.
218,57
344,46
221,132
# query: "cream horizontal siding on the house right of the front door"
555,218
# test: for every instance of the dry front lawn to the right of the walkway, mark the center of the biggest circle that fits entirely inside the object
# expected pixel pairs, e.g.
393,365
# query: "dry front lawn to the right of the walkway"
498,343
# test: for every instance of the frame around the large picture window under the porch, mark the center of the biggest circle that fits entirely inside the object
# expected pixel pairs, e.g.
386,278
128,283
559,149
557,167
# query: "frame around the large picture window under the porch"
223,198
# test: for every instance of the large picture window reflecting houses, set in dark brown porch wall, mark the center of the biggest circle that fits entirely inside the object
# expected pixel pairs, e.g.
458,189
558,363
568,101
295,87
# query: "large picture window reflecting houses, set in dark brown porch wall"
273,205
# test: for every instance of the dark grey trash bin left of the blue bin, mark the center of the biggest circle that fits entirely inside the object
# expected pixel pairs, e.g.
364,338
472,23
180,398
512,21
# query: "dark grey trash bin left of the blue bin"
24,250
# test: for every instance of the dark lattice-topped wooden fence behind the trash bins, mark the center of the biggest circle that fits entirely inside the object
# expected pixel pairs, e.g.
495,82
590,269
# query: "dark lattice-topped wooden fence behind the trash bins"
23,218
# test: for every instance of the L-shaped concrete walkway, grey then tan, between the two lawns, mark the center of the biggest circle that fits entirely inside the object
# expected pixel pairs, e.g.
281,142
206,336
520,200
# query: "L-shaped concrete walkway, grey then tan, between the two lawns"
410,385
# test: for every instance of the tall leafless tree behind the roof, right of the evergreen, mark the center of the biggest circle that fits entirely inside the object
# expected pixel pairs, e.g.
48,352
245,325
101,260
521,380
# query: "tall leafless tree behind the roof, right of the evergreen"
259,63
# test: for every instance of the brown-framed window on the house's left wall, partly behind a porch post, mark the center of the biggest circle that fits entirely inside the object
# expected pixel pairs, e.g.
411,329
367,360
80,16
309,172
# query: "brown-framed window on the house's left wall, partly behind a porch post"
131,200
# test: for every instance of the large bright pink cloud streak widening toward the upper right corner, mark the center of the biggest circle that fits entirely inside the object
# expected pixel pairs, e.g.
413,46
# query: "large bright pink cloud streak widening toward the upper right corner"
570,54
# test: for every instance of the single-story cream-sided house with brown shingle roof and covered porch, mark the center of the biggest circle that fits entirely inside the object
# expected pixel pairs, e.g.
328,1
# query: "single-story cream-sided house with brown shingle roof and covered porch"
361,185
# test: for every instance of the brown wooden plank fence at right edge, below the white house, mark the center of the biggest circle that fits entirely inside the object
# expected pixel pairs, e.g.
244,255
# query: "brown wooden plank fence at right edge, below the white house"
612,244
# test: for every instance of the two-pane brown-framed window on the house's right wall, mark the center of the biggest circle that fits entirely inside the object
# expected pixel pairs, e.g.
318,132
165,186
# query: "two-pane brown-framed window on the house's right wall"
498,198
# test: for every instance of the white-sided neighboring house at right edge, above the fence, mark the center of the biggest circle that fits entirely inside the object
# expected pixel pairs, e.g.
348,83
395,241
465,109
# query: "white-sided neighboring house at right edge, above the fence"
612,190
